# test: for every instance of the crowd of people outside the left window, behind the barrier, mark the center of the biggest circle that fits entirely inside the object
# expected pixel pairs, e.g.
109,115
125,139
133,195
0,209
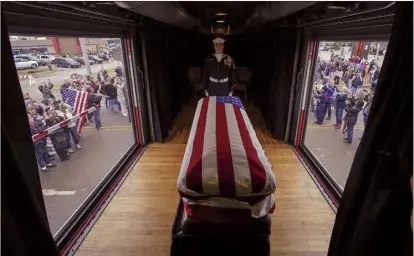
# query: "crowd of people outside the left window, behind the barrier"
53,110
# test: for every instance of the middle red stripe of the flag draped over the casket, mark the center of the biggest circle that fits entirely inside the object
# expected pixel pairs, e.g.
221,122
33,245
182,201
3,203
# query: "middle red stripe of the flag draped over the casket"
225,169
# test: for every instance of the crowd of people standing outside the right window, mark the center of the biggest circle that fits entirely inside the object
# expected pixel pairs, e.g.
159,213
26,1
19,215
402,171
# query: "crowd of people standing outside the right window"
348,99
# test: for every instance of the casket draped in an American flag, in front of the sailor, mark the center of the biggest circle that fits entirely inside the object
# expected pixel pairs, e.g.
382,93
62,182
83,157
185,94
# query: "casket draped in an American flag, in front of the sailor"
225,173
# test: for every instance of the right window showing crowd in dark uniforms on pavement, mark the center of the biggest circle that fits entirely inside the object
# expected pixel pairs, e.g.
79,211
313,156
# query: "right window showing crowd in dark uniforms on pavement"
344,81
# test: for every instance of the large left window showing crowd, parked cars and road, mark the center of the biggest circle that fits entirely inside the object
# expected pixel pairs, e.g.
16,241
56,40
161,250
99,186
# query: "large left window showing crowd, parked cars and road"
77,101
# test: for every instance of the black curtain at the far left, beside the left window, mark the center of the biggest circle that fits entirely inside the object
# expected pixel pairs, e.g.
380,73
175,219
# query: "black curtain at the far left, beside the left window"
25,229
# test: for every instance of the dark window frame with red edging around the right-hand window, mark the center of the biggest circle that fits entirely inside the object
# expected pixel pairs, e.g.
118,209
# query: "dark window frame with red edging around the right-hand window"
375,25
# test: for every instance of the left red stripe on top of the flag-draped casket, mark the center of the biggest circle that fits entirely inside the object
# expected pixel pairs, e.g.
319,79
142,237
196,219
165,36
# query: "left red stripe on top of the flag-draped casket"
194,180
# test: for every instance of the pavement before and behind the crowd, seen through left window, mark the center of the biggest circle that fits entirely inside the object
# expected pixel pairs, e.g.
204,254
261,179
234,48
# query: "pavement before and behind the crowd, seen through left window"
67,186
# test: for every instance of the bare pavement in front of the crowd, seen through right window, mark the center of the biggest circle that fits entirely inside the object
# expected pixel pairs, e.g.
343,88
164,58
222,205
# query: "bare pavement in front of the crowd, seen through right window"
325,143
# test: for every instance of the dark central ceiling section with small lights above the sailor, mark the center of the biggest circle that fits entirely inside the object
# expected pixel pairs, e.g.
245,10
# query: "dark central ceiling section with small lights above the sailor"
237,12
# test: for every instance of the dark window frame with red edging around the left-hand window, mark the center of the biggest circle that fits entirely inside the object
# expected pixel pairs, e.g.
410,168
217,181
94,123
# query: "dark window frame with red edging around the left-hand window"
36,20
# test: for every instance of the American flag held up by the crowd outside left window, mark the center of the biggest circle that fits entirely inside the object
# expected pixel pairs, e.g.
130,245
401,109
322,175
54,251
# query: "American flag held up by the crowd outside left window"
78,100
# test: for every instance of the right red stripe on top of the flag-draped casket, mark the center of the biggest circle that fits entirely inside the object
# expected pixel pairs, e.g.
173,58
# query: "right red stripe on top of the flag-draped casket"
257,171
